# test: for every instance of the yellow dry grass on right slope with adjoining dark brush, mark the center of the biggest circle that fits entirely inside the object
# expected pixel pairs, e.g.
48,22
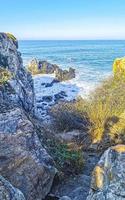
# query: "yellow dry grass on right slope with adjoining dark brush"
102,113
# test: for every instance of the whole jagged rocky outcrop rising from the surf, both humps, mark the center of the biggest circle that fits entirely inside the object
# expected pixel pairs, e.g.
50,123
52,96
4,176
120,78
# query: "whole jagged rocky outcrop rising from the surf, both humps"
43,67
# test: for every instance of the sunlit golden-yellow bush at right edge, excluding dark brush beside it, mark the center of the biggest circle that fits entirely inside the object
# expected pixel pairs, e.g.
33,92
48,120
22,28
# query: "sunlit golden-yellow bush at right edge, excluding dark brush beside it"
105,108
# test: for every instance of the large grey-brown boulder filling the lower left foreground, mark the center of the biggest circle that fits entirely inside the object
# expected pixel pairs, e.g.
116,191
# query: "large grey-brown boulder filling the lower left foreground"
23,161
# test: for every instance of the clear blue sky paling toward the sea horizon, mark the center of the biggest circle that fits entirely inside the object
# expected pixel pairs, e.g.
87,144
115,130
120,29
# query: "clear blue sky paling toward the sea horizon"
63,19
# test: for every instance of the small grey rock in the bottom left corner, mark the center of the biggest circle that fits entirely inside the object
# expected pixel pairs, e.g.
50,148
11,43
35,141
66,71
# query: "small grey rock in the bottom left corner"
8,192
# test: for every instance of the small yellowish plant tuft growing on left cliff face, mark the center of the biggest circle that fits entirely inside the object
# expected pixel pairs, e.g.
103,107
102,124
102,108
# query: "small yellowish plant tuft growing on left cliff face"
5,76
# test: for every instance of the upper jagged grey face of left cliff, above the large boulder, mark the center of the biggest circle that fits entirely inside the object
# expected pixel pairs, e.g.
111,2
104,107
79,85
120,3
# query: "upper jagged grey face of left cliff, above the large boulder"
21,81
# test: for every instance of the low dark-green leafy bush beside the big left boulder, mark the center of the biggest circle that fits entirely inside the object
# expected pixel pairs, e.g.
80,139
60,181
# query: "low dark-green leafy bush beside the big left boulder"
67,161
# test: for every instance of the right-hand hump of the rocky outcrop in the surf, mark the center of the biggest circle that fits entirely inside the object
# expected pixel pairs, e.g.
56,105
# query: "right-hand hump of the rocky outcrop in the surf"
64,75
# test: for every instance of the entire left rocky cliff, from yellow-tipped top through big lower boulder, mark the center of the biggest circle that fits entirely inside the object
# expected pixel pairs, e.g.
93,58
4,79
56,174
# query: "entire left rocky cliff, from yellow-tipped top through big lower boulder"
23,160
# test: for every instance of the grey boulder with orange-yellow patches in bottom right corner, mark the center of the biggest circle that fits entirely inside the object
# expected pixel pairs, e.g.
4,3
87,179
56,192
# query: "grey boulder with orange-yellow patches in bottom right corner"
108,181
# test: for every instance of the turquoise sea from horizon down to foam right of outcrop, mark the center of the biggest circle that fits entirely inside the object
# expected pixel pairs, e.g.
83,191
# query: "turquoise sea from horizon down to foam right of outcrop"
91,59
